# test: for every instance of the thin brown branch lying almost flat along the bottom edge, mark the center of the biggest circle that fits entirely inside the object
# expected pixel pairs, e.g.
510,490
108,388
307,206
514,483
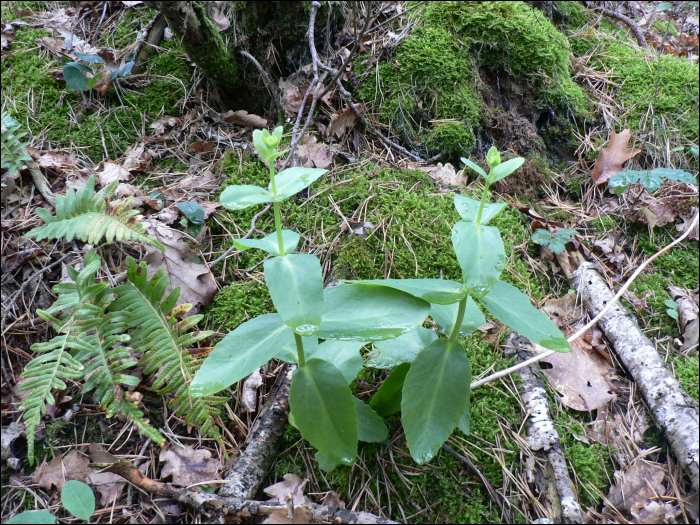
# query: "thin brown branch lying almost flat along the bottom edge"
217,508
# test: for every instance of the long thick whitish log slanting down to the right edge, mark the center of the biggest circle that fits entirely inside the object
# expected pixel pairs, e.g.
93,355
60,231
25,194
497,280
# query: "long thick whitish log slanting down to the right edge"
672,408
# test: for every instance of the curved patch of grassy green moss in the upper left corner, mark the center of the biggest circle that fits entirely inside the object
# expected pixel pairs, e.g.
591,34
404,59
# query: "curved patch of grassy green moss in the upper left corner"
58,115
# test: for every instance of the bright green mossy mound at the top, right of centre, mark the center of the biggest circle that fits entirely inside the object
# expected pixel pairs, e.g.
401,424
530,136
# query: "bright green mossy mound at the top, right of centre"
433,74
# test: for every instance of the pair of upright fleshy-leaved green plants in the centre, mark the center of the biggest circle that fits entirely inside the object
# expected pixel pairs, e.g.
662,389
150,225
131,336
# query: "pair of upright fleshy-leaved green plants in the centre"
431,376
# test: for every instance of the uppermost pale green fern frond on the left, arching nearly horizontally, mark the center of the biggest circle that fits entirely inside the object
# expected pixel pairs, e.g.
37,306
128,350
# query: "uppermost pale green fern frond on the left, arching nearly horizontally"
86,215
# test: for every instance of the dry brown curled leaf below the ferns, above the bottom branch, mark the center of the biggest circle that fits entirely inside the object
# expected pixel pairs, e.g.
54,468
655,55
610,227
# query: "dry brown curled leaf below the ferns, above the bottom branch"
188,466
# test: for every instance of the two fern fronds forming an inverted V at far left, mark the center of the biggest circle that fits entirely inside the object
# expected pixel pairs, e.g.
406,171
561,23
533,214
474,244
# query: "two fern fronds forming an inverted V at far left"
89,345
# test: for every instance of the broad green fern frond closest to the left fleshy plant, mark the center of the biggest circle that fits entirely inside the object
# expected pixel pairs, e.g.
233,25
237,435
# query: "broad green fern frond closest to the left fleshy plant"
164,342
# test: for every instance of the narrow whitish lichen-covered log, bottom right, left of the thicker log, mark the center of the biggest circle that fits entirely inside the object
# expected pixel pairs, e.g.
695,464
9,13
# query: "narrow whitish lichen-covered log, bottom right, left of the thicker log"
553,479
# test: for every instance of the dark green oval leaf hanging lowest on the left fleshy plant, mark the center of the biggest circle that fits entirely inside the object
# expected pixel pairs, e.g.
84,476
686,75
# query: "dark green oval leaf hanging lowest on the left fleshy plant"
324,410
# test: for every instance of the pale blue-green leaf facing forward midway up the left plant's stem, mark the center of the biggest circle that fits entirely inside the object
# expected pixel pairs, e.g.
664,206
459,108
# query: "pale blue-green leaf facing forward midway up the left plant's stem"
295,282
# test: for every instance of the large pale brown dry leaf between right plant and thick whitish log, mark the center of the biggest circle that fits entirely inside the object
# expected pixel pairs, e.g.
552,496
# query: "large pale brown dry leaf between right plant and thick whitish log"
583,376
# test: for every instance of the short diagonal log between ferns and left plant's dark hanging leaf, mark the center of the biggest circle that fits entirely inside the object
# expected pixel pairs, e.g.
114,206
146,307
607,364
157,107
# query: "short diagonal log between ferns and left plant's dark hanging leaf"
261,448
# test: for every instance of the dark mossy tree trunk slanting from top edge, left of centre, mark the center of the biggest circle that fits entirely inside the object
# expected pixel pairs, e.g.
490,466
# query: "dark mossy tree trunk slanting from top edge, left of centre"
205,47
